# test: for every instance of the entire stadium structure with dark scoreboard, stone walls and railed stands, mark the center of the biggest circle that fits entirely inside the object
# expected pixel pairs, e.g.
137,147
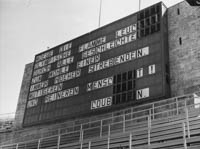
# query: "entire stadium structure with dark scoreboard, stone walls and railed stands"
131,84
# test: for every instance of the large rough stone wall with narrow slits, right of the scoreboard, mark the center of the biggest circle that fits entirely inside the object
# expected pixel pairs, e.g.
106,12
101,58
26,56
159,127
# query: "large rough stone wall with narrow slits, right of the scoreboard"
184,48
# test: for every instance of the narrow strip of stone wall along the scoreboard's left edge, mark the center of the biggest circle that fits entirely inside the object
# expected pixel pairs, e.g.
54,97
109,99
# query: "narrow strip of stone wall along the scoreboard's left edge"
23,96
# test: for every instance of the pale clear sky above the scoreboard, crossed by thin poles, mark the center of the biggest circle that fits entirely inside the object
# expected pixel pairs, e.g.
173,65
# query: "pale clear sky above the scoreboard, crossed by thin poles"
28,27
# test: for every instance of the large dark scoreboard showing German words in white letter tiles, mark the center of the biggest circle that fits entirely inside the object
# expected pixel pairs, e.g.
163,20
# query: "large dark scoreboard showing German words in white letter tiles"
124,63
